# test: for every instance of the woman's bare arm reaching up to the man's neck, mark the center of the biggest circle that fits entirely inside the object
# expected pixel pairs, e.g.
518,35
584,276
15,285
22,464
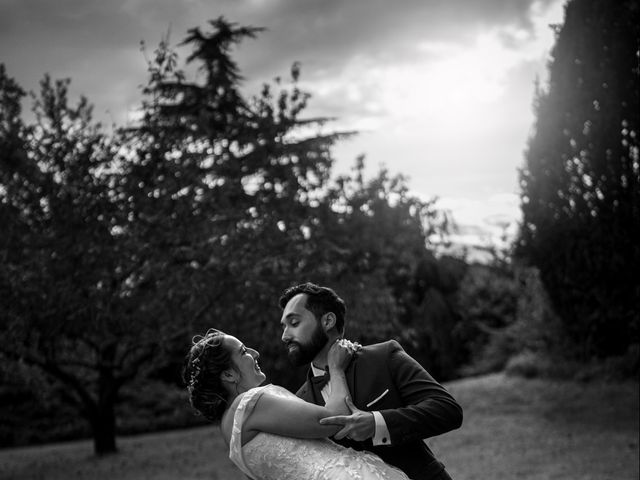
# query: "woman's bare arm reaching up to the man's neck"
293,417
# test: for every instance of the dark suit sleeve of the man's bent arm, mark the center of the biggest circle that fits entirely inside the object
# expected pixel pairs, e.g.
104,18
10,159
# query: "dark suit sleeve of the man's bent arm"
429,409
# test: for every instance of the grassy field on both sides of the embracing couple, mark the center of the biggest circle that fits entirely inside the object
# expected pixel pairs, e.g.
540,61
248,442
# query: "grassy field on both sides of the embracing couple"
514,429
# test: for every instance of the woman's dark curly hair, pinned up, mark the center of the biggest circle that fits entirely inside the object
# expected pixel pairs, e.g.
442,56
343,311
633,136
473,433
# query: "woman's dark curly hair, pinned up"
206,360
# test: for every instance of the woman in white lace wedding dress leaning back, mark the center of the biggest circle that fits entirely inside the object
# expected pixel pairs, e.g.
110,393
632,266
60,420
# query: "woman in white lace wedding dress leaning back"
271,433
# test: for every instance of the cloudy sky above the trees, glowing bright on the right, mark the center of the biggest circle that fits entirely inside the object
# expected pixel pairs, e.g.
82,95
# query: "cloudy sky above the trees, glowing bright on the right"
441,91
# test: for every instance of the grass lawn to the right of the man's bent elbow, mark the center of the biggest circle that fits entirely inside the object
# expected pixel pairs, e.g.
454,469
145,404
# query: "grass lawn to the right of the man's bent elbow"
539,429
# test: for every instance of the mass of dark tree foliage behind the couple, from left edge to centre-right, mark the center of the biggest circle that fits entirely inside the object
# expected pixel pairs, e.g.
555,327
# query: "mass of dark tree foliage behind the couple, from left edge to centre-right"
120,247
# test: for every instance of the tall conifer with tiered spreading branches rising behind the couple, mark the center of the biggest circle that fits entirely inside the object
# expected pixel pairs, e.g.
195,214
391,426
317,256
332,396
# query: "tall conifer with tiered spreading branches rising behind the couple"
253,170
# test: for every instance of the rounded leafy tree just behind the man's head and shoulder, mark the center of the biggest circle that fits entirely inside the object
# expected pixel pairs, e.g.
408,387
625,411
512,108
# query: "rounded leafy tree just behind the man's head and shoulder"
371,242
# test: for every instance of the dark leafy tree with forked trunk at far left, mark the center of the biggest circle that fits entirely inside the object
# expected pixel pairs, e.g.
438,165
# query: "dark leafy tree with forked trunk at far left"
65,294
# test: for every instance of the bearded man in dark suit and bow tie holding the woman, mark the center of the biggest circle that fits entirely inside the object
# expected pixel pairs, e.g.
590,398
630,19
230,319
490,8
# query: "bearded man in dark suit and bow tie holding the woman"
395,402
